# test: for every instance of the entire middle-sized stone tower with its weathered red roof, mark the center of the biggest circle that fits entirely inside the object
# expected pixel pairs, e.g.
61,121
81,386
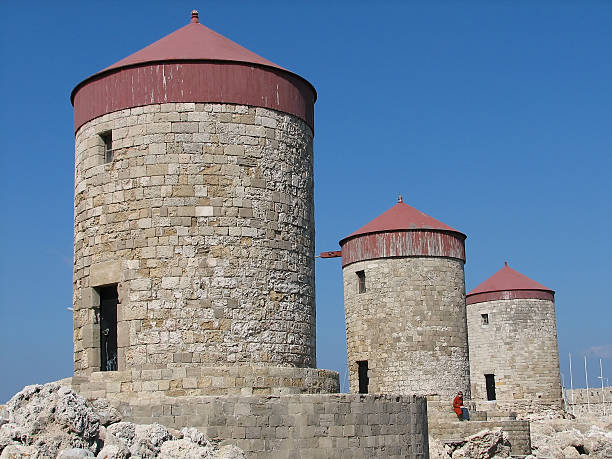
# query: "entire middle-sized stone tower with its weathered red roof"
404,299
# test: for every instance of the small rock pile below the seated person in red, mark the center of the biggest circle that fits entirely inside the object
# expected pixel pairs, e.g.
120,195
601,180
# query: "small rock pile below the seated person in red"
485,444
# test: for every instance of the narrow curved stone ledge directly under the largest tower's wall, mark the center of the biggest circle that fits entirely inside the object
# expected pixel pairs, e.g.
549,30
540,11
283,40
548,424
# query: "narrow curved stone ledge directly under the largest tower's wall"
196,381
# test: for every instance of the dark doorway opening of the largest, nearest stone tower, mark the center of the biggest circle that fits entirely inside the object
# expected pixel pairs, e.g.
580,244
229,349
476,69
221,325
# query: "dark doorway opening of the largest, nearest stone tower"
108,327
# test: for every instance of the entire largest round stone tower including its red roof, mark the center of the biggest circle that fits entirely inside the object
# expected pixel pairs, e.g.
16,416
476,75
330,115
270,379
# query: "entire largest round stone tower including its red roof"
194,206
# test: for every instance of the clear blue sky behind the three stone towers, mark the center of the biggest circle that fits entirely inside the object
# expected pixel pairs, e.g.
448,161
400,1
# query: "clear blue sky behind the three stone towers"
493,117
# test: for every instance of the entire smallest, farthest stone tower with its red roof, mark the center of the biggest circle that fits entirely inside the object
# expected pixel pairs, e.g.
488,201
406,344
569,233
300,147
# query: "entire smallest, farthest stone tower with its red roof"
514,359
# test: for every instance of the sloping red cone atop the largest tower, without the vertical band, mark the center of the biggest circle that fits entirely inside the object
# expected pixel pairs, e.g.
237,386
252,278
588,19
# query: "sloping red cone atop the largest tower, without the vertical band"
193,42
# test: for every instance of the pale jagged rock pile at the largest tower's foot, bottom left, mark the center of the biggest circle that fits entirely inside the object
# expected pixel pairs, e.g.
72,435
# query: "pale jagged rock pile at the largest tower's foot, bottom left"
52,421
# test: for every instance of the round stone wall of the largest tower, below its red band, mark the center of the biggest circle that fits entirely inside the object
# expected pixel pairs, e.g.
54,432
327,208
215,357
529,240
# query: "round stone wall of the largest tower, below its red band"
205,221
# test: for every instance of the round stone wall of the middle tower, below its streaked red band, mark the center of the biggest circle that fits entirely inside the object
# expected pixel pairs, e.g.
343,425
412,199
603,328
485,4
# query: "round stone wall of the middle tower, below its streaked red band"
409,325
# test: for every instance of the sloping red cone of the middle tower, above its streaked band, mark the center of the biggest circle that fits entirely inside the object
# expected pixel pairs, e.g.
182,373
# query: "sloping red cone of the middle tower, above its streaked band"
403,217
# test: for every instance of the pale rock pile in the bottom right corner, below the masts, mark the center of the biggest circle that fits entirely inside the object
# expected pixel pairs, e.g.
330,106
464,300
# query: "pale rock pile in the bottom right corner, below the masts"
567,438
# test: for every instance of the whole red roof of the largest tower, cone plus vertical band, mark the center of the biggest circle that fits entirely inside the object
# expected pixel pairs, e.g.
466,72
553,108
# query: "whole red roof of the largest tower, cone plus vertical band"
193,65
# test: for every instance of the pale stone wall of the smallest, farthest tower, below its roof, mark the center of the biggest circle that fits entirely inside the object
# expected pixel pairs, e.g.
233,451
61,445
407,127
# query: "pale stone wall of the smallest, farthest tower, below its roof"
519,347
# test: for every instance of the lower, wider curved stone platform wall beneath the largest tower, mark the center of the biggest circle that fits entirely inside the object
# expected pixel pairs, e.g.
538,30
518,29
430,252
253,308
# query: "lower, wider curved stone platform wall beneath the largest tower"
298,426
